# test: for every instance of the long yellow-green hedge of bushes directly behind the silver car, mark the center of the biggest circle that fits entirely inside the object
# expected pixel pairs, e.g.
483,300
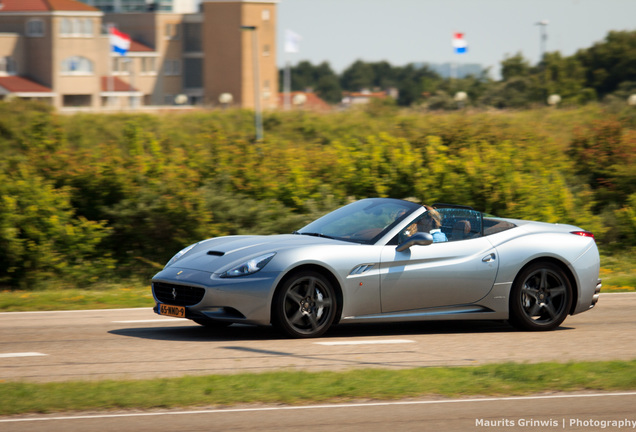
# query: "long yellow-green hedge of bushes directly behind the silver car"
90,197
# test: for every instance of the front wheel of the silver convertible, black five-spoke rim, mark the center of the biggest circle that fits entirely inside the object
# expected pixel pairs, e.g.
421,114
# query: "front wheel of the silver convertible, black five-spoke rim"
305,305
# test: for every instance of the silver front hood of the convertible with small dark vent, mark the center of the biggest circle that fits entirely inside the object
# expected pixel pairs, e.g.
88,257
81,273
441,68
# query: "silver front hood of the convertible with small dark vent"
220,254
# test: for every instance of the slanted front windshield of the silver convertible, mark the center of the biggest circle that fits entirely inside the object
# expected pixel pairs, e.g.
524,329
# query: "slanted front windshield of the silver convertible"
363,221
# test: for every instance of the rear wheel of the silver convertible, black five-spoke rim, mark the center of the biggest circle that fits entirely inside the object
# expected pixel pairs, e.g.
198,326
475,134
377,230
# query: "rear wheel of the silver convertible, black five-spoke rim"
540,298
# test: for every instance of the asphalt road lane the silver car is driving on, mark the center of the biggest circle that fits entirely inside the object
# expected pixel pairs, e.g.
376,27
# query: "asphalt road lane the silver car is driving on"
136,343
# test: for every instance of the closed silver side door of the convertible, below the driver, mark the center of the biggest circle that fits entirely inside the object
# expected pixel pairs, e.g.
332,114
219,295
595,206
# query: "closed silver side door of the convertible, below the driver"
437,275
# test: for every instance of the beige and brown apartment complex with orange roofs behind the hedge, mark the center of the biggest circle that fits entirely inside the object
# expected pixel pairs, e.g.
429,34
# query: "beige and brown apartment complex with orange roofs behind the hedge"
59,51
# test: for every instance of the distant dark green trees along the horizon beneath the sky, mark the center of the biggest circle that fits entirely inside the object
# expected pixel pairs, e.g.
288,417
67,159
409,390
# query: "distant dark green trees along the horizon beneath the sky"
604,72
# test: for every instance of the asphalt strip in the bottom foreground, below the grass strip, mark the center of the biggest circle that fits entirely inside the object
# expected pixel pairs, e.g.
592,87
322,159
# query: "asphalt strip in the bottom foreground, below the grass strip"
577,412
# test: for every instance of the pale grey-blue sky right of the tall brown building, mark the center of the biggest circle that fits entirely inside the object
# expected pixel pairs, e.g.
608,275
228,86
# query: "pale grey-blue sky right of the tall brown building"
420,31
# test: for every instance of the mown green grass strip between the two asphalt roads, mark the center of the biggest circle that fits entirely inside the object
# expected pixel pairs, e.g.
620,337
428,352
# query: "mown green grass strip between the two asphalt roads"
292,387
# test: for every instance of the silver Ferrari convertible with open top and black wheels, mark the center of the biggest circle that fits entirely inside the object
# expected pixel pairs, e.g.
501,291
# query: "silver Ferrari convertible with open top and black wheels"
386,260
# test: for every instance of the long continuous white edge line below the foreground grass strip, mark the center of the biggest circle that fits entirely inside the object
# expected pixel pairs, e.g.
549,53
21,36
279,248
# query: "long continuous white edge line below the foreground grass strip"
312,407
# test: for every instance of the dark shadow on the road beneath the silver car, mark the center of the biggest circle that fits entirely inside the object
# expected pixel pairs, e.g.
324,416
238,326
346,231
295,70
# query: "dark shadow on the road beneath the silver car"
238,332
